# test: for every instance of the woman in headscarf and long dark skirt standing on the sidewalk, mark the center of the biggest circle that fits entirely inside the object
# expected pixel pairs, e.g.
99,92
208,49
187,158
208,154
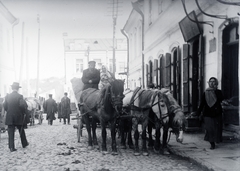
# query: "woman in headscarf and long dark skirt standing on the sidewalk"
211,108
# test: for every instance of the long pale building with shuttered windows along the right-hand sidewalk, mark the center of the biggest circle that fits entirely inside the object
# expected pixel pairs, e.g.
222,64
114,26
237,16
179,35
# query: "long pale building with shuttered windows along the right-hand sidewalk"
185,43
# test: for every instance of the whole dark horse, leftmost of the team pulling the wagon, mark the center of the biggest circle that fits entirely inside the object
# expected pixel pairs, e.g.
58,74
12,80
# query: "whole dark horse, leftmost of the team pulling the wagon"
102,105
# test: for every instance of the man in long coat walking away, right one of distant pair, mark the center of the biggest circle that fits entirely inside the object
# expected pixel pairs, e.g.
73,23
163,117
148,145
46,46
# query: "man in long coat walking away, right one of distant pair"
65,108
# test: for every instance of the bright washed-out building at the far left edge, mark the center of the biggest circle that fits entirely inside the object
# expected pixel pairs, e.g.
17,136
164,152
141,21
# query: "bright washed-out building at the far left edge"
7,69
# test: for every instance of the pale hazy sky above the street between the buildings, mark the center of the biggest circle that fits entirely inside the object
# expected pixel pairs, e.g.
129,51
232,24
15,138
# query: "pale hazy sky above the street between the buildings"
77,18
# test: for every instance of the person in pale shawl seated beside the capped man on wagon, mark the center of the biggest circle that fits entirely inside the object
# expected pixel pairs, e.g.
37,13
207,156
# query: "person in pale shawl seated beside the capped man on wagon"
105,77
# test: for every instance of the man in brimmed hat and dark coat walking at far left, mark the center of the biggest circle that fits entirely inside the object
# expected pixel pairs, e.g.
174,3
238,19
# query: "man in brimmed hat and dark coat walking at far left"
15,106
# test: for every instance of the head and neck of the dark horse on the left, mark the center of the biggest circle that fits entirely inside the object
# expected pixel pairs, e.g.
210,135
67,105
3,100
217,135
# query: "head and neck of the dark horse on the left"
114,94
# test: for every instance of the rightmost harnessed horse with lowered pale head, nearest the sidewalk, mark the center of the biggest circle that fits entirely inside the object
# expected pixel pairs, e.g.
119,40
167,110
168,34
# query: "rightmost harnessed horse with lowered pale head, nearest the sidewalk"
171,117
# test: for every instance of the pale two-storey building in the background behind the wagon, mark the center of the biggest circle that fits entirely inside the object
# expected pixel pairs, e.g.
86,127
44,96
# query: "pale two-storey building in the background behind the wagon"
79,51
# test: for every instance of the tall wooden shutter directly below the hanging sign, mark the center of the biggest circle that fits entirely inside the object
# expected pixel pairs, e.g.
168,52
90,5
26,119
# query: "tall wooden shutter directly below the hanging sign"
185,78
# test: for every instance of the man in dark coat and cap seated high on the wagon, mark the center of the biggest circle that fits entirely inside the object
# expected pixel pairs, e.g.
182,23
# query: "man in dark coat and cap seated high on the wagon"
91,76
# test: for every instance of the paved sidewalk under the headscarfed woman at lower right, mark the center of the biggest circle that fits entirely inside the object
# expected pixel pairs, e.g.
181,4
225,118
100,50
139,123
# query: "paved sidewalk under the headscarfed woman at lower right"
225,157
